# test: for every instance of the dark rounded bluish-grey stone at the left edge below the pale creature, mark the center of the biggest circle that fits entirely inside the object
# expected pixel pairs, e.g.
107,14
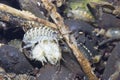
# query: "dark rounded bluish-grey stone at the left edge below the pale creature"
12,60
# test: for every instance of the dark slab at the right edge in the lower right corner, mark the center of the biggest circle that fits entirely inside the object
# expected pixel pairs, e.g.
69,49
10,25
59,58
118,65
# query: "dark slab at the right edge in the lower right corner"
112,68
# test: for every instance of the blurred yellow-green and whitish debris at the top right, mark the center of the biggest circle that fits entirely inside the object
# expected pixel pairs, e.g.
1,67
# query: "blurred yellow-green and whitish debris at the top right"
78,9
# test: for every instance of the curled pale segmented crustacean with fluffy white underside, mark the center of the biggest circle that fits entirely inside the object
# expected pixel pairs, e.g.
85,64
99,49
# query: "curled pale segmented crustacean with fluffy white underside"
43,44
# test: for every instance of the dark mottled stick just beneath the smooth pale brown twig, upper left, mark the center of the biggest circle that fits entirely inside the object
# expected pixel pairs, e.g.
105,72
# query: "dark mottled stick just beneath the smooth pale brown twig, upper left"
18,21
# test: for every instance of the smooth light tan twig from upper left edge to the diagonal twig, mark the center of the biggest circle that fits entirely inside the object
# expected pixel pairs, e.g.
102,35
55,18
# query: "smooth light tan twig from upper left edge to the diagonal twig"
25,15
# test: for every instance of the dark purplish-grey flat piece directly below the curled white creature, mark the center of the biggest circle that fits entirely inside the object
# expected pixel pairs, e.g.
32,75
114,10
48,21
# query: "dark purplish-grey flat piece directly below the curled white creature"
67,70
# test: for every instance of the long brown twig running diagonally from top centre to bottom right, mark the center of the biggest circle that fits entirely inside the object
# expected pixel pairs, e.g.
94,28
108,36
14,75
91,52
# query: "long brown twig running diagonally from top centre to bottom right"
69,39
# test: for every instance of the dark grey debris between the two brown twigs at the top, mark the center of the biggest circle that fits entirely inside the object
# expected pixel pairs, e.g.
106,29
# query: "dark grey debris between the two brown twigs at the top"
33,7
